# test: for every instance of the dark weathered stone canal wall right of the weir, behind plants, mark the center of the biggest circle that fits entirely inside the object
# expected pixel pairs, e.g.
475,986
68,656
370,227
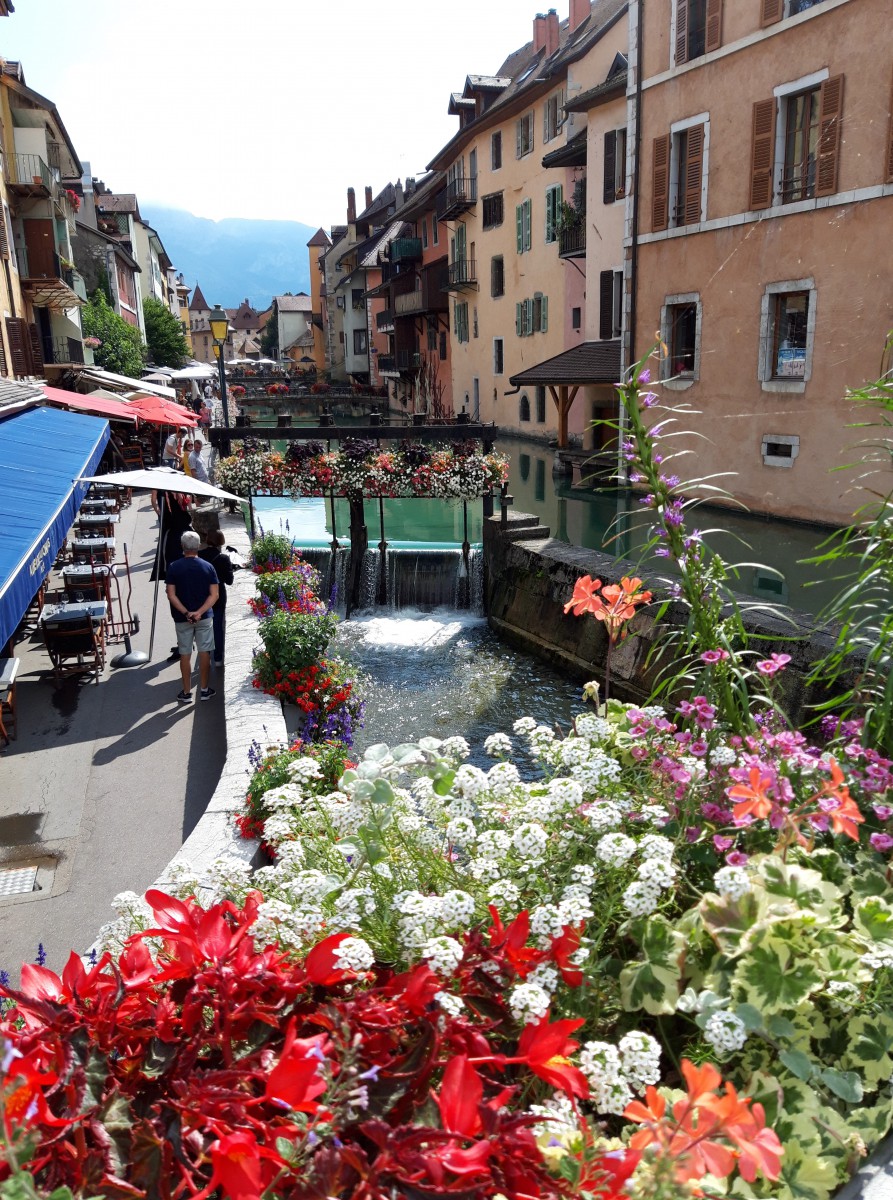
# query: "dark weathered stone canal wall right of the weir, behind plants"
530,578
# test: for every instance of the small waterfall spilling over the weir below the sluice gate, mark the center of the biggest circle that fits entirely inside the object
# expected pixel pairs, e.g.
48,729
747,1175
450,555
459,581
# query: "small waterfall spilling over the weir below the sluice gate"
424,579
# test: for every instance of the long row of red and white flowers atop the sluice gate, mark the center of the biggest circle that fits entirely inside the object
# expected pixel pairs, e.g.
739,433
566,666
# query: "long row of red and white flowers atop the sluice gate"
361,469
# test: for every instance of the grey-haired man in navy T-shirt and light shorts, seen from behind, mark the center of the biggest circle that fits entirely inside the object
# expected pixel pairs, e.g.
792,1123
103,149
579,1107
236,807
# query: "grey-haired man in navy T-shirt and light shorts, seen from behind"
194,590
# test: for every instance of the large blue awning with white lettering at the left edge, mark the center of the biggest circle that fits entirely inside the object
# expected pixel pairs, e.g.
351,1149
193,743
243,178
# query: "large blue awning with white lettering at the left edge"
43,454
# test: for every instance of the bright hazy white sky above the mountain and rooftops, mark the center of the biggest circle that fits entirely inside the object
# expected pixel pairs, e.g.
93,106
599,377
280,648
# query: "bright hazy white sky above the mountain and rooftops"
309,97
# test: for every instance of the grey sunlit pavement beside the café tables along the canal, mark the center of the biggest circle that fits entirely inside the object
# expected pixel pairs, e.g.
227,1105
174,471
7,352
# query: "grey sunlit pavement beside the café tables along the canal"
105,782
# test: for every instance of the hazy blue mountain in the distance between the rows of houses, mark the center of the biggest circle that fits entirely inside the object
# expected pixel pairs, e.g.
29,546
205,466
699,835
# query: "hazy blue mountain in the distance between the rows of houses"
235,259
